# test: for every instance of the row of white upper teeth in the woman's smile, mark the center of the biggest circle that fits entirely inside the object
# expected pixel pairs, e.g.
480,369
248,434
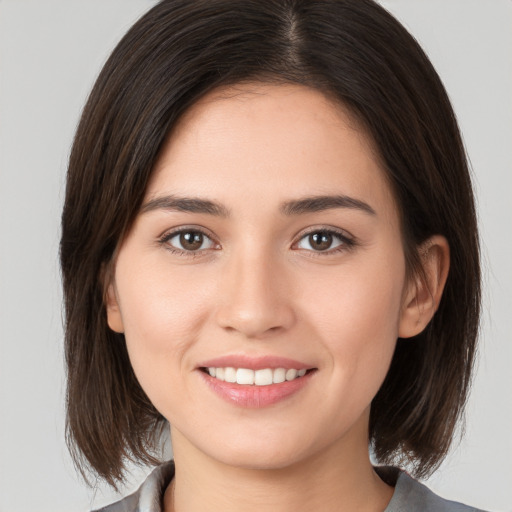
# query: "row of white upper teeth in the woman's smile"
263,377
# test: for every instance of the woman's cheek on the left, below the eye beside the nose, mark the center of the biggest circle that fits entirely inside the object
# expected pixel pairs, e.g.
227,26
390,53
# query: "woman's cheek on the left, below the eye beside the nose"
162,315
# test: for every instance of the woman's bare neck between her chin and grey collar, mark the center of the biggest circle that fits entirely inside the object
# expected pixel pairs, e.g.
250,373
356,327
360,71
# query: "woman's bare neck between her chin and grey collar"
340,479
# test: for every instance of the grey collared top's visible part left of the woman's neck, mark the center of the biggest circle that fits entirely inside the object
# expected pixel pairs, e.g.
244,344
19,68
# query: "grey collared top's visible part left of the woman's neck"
148,497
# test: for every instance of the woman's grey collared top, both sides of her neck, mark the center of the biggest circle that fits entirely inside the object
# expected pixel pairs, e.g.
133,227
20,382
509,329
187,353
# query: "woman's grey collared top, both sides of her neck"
409,495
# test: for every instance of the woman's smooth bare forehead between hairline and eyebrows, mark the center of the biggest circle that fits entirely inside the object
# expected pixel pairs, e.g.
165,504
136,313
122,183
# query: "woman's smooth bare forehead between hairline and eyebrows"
255,136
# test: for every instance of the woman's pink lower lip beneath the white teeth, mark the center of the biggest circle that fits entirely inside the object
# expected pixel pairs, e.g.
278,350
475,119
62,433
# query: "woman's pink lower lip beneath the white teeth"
255,396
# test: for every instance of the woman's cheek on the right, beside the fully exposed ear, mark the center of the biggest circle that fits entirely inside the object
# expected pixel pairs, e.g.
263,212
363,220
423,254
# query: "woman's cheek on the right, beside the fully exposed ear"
356,314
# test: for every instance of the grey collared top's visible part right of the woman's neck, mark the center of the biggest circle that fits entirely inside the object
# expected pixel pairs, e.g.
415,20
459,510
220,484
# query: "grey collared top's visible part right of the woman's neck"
412,495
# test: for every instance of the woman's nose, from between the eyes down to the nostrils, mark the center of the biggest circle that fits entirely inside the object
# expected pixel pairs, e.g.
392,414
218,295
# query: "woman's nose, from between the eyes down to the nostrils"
255,297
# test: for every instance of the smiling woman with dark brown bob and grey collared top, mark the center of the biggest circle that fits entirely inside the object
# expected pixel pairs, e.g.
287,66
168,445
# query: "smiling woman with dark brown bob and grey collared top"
269,243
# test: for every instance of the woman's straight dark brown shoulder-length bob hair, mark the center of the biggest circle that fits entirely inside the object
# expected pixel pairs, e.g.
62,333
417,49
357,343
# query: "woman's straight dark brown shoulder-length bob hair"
355,53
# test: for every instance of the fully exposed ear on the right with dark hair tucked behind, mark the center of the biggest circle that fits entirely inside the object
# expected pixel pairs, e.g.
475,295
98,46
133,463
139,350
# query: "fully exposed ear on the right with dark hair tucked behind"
423,292
